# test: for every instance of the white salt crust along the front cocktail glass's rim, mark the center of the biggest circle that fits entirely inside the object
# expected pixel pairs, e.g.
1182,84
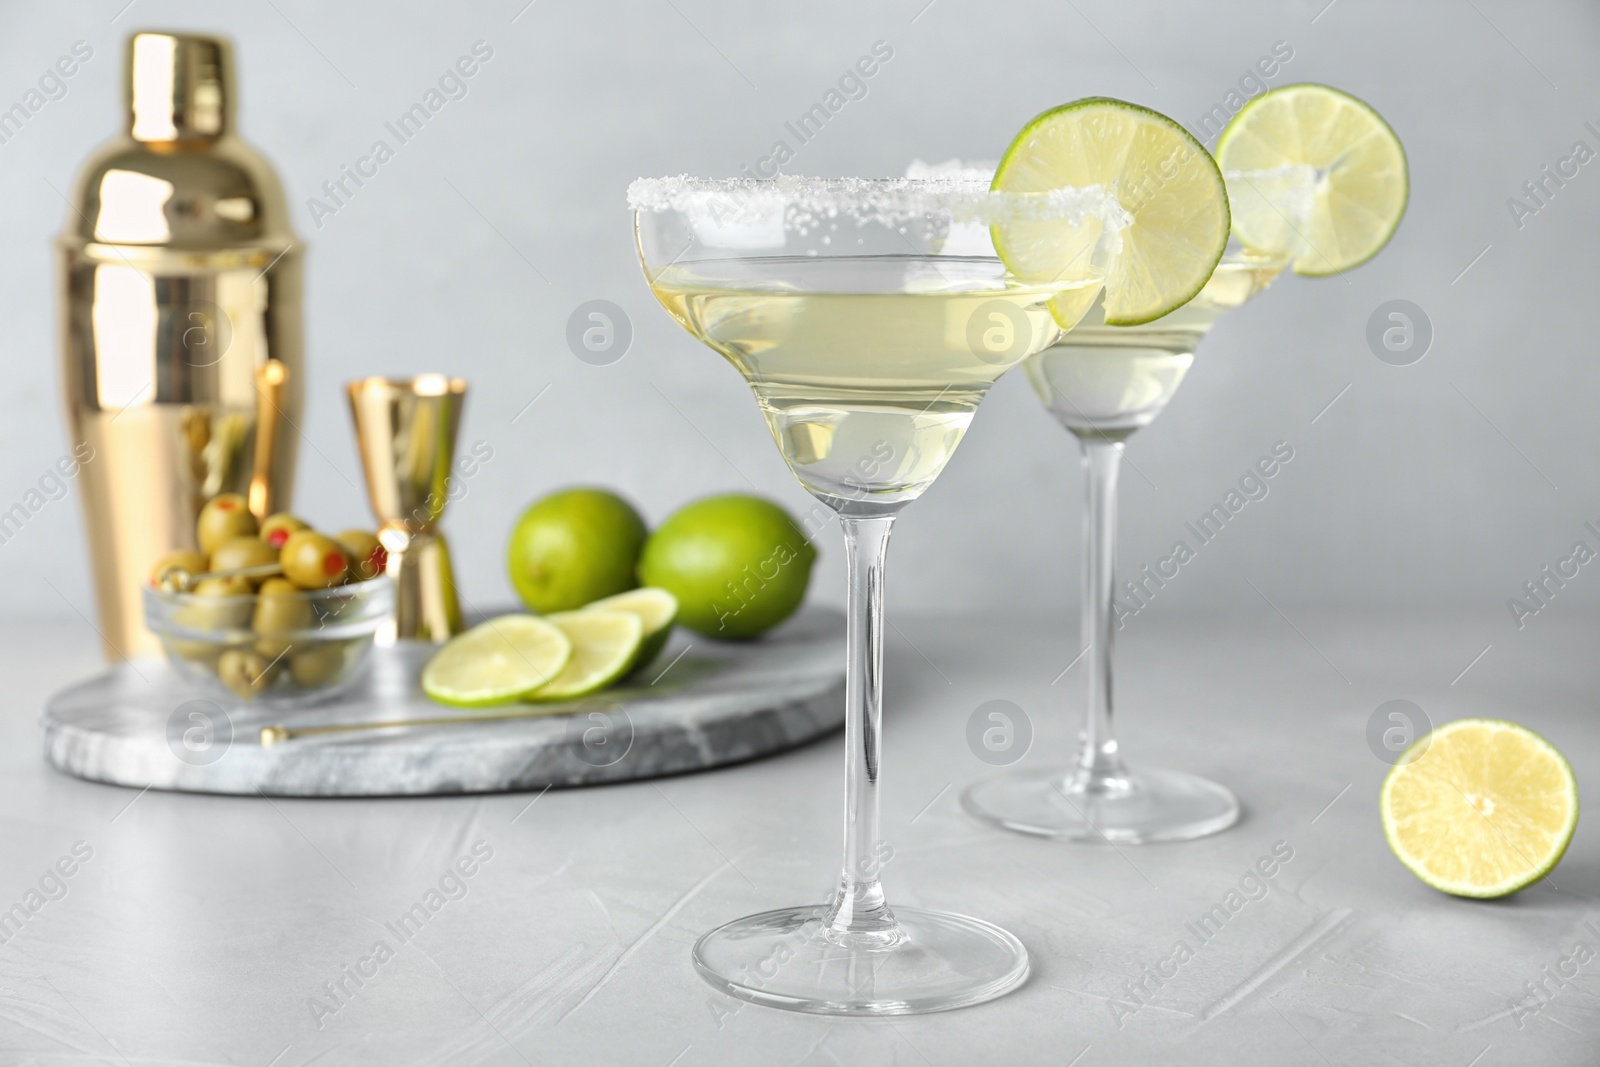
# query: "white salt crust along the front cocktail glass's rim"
866,201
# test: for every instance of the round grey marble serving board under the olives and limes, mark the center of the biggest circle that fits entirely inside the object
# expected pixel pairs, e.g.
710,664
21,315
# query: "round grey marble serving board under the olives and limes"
702,705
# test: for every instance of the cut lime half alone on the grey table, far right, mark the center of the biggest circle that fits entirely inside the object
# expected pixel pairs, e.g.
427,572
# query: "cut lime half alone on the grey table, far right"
1484,810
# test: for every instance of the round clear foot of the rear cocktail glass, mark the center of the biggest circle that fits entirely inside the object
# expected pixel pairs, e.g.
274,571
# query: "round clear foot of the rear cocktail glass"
1150,807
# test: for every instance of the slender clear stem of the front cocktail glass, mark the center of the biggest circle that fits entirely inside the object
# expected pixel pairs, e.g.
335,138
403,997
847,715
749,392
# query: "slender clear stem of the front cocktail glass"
858,913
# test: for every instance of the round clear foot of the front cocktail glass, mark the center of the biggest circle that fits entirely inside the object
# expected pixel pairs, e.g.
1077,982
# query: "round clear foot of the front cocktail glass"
790,959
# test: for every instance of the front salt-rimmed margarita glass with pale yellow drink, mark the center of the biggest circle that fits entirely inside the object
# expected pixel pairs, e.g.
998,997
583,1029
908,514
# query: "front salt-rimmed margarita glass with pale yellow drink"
868,338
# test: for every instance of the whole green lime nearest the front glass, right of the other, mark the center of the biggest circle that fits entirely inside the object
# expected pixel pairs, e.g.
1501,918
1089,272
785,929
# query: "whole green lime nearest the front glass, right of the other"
738,565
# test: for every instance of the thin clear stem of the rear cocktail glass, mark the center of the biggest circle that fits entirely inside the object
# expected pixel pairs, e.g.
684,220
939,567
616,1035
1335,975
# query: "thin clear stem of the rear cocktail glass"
1100,769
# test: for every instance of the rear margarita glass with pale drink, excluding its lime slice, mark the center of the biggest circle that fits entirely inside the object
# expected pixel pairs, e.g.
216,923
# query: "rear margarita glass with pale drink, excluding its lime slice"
1103,385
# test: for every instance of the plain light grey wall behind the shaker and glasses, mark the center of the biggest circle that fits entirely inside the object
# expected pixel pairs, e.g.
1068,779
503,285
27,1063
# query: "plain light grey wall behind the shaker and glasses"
1449,482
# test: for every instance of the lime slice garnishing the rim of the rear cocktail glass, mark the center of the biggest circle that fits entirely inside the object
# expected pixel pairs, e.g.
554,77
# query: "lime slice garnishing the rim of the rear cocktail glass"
1314,174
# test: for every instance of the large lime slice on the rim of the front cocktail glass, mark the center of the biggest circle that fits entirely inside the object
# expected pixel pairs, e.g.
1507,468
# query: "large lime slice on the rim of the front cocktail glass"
1166,231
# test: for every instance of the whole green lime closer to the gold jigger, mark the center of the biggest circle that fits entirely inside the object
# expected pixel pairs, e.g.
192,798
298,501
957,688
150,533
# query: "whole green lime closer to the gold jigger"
574,548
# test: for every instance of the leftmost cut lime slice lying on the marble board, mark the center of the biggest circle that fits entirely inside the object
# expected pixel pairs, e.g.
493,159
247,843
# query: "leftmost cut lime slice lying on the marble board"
495,663
